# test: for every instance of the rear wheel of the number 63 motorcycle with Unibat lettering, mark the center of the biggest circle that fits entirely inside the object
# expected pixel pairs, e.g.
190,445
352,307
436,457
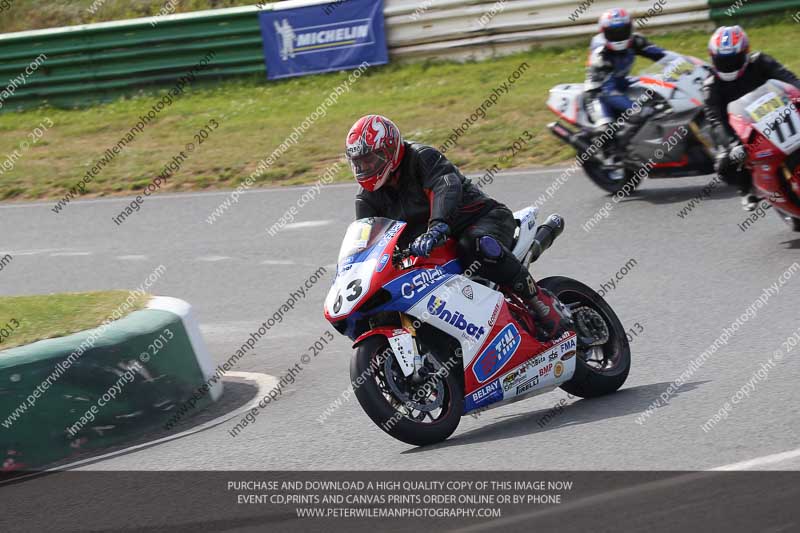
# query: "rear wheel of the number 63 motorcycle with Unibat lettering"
594,377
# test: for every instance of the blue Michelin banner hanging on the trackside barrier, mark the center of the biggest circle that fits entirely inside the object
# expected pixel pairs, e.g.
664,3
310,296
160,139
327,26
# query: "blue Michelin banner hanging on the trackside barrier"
326,37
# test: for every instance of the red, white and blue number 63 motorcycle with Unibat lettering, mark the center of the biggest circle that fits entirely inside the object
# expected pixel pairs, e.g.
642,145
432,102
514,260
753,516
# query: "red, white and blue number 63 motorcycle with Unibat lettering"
435,343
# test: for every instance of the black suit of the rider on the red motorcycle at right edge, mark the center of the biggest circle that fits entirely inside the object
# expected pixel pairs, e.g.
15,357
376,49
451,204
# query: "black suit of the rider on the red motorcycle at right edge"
718,94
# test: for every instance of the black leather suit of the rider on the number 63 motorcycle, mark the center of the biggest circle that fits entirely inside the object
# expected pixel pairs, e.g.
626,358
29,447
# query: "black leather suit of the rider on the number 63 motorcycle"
427,188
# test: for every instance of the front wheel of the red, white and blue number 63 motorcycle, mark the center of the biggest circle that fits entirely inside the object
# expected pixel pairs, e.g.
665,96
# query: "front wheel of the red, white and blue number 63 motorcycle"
419,411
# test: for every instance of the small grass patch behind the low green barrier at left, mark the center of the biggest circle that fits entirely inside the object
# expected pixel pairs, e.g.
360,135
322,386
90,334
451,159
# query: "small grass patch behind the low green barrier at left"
29,319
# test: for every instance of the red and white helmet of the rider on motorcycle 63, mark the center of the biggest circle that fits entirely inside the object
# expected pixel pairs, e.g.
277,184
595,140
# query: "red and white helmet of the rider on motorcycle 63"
374,149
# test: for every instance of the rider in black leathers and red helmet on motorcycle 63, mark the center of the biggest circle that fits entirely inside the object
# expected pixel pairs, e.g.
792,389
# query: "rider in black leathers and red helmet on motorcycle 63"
415,183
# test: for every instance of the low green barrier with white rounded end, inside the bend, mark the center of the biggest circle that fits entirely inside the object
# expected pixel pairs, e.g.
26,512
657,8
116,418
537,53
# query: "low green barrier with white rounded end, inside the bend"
104,396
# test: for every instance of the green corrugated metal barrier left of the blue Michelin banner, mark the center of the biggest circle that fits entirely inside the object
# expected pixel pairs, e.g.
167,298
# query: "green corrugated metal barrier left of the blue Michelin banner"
99,62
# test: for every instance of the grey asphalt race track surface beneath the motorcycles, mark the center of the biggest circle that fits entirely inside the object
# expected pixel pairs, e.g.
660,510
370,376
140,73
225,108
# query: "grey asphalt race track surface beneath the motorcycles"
692,277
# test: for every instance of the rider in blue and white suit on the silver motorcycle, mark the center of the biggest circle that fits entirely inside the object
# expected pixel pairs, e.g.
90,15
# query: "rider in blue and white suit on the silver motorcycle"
612,53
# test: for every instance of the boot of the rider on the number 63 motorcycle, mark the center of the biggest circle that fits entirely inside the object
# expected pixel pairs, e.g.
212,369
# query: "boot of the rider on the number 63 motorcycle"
551,316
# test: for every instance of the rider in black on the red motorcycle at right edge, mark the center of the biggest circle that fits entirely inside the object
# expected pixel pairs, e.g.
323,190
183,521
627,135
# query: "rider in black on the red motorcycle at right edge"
737,72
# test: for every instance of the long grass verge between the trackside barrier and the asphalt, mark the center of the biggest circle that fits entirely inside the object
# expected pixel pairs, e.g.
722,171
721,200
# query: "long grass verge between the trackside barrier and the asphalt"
425,99
